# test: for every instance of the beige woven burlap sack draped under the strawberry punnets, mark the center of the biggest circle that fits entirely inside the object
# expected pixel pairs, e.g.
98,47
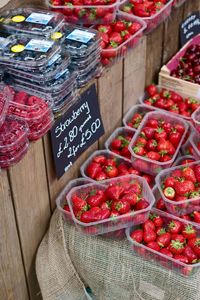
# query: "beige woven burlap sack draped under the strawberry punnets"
108,266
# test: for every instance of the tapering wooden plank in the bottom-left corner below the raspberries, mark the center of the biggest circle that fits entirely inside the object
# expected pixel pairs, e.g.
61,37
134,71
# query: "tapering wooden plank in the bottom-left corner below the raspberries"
12,279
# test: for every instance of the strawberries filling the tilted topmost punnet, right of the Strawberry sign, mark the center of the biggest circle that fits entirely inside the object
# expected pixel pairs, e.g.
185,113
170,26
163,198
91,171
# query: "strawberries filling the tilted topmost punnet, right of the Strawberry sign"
158,139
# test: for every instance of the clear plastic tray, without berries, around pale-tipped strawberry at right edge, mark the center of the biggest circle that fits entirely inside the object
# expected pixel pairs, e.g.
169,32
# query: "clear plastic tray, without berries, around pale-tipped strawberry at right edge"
178,207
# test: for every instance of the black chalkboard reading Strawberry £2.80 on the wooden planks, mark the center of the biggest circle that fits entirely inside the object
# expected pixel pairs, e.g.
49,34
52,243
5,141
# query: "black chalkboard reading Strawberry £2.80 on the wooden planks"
76,130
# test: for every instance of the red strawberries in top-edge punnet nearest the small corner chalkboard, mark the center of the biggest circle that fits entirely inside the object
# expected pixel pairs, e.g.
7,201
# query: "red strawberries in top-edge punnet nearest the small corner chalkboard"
144,8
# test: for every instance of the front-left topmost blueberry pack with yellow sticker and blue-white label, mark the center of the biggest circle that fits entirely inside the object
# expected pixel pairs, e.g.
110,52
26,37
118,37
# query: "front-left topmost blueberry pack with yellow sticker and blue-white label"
25,51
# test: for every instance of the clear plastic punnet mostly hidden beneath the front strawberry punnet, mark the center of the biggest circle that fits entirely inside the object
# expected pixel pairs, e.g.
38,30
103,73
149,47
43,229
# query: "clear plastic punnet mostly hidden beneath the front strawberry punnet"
61,200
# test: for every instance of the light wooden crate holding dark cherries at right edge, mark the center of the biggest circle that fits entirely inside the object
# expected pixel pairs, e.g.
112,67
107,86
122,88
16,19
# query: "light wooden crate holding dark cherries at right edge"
176,84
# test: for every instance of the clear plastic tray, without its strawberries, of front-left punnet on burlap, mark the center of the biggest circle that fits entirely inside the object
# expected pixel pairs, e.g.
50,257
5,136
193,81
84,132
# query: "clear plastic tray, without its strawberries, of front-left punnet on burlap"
117,223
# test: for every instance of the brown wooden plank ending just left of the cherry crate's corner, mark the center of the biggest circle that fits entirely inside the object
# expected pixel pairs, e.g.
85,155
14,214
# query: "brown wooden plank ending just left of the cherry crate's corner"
154,54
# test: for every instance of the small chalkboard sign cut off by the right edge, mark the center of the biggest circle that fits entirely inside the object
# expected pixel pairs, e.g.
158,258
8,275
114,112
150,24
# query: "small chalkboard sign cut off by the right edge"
190,27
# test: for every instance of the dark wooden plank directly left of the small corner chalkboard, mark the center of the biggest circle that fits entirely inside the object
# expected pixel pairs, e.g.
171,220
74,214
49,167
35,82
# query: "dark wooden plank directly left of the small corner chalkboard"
171,34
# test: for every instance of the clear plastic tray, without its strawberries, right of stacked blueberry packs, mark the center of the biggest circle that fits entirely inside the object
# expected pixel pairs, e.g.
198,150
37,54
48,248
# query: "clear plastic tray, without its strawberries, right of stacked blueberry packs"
119,52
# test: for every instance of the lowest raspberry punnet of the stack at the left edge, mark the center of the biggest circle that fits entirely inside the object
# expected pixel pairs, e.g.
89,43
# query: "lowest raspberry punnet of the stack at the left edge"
10,158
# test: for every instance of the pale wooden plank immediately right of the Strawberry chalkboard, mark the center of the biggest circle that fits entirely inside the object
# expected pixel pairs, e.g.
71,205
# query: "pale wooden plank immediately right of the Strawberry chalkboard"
110,99
